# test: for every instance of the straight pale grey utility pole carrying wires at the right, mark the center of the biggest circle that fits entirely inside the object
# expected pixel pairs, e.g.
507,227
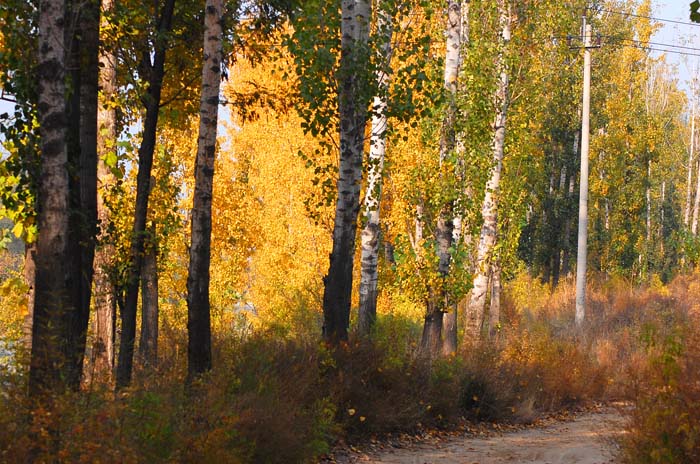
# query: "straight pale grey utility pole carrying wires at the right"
583,193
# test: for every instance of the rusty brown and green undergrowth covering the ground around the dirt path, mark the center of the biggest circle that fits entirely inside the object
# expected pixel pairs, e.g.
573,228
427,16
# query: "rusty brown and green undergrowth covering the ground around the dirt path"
274,399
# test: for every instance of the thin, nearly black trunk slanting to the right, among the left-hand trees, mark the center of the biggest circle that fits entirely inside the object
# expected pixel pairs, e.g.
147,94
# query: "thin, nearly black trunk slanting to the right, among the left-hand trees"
152,100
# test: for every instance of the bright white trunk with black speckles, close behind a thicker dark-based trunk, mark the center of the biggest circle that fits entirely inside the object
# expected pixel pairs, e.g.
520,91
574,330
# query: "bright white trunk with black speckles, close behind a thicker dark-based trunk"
370,233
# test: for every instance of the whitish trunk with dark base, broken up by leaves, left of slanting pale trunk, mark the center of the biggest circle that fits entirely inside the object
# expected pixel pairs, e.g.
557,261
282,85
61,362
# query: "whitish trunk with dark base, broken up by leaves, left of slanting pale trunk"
439,304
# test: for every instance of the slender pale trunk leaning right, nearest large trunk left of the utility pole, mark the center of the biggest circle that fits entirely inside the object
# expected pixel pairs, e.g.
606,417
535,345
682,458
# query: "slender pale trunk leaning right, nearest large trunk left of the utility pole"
489,210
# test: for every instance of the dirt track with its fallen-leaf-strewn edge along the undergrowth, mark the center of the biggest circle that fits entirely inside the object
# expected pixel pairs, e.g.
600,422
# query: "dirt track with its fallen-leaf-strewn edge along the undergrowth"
585,437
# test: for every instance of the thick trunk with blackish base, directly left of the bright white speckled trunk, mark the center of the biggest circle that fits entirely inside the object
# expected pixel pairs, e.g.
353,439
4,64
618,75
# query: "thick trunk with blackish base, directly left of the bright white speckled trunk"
352,108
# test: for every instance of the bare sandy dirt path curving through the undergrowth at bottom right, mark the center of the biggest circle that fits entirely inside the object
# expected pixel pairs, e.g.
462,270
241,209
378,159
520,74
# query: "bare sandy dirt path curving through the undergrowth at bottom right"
585,440
